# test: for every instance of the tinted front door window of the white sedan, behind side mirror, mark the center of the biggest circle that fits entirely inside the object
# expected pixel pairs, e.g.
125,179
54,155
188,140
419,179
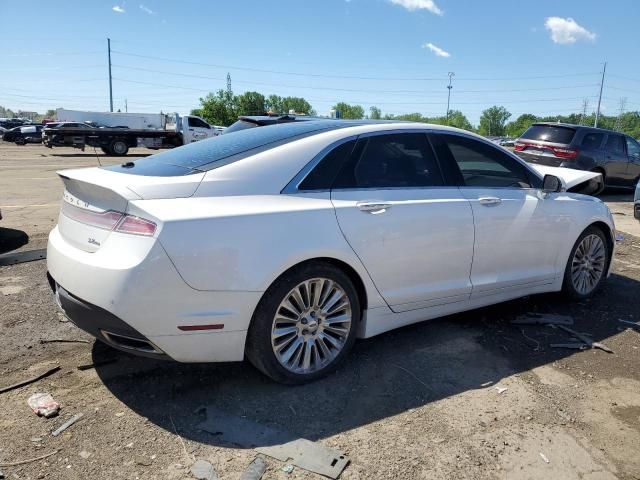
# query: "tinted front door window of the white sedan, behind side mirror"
482,165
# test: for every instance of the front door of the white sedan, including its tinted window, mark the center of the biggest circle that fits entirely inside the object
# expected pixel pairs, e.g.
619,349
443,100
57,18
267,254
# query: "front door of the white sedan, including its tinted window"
517,228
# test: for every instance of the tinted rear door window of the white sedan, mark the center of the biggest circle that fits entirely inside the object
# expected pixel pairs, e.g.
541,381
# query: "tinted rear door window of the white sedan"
391,161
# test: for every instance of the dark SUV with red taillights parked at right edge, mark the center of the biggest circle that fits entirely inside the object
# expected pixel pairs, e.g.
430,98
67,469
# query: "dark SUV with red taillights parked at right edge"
615,155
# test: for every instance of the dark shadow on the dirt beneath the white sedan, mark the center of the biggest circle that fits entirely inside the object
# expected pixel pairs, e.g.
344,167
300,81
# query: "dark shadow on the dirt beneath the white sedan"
383,376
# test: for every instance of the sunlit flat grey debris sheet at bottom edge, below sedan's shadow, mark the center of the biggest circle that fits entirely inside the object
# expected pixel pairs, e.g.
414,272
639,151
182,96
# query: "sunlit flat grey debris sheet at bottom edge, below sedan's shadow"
308,455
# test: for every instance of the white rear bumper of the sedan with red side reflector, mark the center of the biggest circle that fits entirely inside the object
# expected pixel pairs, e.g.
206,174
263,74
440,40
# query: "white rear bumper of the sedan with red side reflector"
130,288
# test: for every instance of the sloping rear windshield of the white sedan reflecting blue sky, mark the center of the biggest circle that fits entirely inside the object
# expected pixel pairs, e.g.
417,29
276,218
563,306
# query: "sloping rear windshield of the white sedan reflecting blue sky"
221,150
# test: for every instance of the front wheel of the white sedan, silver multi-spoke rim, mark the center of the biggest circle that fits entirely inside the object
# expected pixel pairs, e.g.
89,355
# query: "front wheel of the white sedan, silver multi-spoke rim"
590,256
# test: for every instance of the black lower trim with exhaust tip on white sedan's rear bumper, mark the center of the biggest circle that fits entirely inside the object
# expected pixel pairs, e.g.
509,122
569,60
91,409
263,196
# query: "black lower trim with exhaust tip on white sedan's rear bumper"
104,325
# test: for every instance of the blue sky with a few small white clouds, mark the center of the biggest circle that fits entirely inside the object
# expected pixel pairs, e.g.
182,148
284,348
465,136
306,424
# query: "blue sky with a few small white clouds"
543,57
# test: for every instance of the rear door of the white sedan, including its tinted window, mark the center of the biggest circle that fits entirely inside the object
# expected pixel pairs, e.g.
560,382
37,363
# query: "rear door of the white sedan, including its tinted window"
413,233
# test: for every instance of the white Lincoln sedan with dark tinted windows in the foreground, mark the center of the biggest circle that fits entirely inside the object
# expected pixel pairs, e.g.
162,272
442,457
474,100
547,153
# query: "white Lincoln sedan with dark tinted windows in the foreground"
285,243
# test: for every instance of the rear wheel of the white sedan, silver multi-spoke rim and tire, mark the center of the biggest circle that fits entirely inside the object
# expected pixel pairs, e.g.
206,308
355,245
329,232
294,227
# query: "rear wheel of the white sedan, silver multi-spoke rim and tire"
310,330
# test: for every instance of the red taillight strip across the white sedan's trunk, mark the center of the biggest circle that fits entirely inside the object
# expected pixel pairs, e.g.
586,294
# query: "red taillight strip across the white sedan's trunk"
110,220
